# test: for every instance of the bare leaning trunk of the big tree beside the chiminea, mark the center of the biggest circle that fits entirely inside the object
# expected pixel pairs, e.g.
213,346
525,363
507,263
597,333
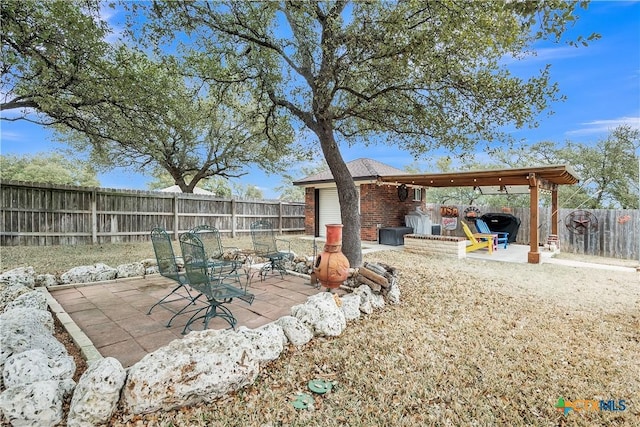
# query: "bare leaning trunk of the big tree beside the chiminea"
347,195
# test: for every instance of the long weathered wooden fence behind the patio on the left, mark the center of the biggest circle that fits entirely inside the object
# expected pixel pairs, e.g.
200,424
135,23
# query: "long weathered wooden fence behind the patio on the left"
43,214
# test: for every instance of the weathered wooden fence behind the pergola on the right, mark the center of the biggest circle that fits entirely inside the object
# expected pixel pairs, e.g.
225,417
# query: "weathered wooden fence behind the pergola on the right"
617,234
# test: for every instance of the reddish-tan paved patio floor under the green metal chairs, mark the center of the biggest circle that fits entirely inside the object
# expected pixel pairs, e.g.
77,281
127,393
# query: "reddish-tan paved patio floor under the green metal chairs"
113,315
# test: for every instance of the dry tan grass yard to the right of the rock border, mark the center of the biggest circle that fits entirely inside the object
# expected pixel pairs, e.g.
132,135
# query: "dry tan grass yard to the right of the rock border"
472,343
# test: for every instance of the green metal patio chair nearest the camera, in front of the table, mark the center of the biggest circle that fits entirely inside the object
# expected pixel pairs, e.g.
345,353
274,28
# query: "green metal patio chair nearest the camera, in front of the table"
217,286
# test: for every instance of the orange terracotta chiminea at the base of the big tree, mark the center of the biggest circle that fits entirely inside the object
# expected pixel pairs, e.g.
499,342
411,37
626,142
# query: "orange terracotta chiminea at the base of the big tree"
331,266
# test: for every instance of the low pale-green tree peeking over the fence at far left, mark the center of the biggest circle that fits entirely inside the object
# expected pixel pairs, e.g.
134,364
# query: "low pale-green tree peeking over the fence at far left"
51,168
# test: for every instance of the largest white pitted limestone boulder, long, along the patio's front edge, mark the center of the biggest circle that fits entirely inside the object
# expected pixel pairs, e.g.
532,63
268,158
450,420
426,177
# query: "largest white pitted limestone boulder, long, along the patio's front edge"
200,367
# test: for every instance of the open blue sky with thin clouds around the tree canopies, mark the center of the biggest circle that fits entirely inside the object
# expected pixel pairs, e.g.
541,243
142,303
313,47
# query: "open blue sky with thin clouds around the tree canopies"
601,83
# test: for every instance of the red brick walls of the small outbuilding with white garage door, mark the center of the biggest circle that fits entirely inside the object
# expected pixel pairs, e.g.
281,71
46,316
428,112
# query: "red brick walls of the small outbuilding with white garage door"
378,205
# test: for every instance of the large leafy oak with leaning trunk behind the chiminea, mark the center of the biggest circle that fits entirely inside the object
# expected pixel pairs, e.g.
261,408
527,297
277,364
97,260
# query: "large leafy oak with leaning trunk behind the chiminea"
416,74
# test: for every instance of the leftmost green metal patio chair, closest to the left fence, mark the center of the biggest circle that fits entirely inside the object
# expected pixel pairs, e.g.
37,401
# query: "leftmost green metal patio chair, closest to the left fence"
168,268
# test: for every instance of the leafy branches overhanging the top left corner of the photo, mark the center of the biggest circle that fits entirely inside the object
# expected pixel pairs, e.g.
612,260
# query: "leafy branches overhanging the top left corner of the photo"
52,52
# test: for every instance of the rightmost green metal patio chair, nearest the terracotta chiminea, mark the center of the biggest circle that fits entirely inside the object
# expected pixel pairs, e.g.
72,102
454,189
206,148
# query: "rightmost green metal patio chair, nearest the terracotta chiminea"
266,246
